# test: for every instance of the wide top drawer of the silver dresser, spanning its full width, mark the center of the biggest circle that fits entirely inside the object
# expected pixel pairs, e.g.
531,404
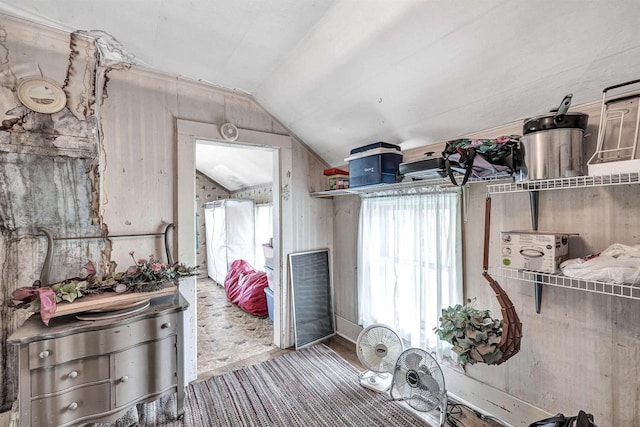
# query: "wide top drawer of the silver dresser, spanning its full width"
86,344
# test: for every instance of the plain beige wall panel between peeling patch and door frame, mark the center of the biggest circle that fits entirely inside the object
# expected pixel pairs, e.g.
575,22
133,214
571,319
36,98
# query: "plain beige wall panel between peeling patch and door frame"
139,151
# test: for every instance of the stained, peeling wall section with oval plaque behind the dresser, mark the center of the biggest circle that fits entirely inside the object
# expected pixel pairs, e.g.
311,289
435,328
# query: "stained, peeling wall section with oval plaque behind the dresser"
47,171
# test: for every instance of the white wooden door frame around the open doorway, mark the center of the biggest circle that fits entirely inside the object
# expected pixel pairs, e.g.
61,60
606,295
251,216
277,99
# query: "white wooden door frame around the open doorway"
188,133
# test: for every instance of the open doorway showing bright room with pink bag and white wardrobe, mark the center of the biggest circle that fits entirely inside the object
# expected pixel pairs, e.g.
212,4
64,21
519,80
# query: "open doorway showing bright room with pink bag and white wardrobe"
234,220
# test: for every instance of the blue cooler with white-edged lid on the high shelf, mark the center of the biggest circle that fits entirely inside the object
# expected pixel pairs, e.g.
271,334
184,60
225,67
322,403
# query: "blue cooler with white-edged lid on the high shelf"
374,166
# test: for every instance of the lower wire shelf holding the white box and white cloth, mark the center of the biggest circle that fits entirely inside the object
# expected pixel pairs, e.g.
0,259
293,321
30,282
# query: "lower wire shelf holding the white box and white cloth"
624,290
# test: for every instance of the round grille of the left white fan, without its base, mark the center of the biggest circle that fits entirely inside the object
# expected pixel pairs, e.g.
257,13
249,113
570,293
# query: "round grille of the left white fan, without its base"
378,348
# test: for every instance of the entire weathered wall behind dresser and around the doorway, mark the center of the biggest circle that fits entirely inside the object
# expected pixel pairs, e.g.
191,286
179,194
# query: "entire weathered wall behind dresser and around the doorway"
109,166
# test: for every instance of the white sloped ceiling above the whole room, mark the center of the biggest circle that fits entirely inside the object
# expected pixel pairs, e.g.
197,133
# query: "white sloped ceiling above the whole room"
345,73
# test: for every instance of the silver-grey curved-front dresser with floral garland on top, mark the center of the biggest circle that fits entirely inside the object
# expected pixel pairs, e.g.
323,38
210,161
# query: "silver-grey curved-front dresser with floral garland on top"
77,371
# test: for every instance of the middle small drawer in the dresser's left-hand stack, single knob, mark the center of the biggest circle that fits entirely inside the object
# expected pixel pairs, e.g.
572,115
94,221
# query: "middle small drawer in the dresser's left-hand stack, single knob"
70,374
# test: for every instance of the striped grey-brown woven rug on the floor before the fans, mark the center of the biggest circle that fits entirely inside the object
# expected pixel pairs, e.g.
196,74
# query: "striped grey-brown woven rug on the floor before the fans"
311,387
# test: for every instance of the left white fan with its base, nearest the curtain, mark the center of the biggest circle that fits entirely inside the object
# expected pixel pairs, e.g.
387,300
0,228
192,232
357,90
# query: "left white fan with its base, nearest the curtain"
378,347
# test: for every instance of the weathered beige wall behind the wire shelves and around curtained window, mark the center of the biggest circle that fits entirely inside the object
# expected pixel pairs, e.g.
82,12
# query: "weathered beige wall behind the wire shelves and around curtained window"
583,350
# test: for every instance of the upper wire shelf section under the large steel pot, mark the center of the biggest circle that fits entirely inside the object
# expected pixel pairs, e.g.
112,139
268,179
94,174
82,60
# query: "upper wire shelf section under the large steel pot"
563,183
